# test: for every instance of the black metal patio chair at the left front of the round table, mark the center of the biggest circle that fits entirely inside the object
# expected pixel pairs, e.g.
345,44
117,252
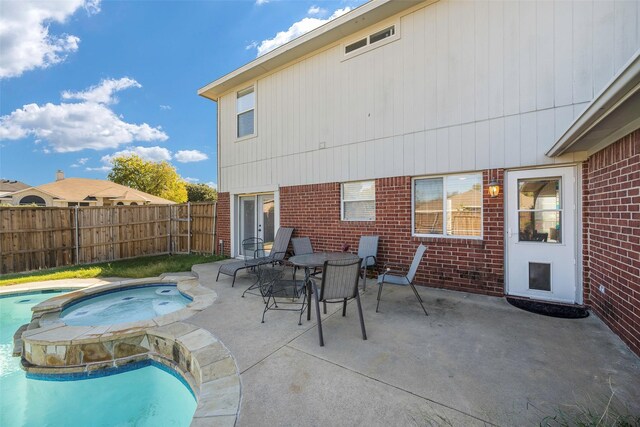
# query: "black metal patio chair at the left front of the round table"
279,293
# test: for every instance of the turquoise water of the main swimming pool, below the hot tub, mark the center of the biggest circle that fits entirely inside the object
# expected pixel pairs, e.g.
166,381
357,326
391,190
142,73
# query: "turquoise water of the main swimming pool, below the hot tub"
148,396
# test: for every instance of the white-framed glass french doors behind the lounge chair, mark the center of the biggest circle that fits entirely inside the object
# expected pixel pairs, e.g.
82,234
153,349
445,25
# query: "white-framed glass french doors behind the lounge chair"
256,218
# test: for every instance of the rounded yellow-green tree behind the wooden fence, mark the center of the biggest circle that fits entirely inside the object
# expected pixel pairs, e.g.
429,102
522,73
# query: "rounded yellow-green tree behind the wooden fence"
157,178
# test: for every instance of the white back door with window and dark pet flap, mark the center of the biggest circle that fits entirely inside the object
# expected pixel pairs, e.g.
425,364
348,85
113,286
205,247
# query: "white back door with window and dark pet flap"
541,234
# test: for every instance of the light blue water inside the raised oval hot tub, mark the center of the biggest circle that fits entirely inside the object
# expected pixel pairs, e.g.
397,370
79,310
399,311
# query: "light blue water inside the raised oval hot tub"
127,305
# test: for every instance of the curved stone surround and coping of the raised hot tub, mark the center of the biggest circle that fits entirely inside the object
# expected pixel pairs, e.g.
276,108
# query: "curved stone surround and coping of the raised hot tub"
50,347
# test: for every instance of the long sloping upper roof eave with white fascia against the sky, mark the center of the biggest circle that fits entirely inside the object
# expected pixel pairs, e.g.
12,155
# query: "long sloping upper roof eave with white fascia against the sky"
358,19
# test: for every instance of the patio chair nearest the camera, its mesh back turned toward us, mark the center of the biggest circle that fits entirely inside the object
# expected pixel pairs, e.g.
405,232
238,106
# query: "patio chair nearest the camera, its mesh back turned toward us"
339,284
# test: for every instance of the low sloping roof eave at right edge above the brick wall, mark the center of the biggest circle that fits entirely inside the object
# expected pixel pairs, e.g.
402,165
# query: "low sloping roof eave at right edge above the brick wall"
612,114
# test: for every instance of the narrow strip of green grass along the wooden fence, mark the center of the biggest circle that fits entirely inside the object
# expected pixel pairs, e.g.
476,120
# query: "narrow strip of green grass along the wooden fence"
134,268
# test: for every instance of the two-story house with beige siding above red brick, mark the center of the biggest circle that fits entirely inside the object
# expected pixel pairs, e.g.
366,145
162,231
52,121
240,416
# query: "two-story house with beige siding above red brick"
502,134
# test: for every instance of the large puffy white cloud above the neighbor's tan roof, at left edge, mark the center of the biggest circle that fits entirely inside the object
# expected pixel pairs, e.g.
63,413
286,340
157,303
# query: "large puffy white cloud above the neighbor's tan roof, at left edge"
69,127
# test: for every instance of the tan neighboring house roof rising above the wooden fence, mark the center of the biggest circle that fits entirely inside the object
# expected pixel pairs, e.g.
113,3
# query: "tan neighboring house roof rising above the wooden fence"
78,189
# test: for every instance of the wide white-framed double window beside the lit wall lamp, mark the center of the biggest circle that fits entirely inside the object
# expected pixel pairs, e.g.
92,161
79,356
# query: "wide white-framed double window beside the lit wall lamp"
448,206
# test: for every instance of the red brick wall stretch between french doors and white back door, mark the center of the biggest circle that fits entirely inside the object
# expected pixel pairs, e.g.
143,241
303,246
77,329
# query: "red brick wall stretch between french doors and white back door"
460,264
